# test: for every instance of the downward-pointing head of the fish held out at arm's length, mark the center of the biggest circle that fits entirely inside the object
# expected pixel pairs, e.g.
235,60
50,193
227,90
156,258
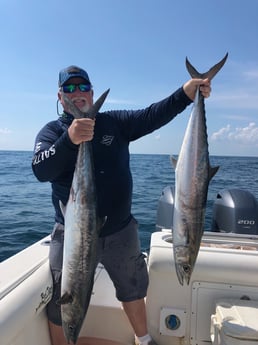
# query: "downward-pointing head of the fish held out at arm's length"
184,264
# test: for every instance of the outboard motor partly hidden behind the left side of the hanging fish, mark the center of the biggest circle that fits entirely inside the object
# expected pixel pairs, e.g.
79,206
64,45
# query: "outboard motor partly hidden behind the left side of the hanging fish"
165,209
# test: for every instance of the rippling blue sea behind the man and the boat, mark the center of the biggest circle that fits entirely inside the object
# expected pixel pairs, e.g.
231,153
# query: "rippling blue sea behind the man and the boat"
26,212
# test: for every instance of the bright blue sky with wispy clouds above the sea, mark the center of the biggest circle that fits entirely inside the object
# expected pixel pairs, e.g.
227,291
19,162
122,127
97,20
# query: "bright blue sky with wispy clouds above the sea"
136,48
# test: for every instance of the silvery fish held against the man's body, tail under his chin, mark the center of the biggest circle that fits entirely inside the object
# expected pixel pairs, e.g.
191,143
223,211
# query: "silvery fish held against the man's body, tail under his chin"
82,226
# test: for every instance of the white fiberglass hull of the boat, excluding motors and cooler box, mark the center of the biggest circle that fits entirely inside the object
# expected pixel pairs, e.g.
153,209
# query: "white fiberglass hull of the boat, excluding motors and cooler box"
227,267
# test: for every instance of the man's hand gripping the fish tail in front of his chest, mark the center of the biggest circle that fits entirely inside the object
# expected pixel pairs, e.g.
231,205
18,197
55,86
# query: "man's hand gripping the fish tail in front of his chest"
81,130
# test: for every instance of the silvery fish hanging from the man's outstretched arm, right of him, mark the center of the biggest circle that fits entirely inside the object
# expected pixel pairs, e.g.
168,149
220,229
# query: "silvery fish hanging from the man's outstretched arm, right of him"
192,176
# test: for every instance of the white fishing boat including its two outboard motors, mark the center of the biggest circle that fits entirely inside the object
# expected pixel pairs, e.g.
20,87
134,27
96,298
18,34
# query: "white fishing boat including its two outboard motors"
219,306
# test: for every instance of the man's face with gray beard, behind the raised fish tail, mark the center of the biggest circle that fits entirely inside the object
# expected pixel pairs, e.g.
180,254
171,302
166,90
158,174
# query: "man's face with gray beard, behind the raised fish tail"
82,99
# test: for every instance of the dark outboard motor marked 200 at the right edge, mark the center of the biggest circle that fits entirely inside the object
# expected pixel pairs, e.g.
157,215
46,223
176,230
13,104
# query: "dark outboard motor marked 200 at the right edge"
236,211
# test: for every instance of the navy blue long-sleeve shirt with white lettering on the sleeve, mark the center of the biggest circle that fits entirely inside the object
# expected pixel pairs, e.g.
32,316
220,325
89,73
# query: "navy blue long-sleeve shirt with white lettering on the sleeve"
55,156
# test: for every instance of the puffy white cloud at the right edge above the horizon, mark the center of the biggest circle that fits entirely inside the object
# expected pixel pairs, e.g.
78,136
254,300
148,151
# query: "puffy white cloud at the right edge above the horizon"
240,135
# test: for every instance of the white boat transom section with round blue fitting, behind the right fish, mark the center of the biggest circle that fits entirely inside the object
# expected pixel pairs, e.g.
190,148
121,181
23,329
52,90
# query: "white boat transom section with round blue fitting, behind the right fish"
226,270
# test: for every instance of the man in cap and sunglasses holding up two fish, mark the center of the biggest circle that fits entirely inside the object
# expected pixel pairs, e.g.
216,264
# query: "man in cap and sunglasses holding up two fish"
111,132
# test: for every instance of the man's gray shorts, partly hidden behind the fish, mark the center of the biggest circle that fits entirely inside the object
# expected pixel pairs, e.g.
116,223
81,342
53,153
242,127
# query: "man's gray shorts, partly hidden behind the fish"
120,254
